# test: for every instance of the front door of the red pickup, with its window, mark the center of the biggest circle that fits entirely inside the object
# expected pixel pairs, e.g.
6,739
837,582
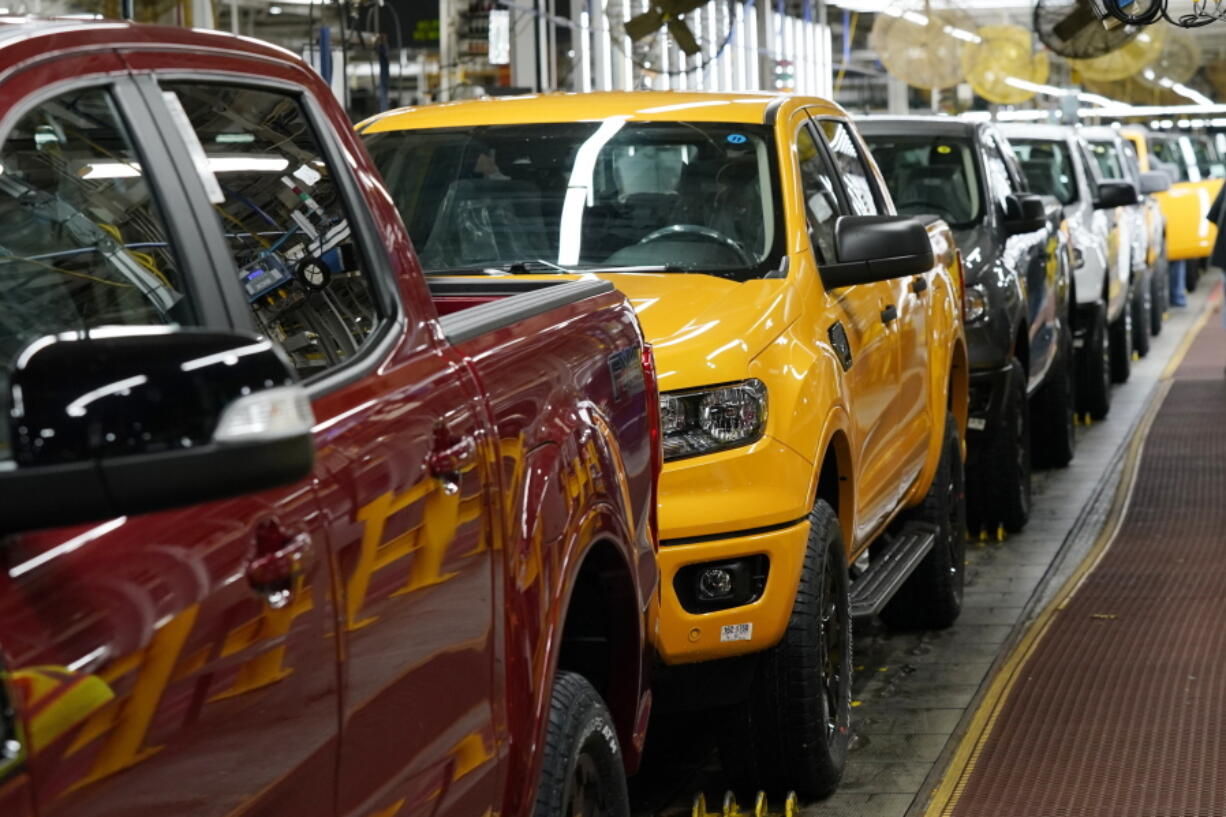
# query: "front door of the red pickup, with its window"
149,665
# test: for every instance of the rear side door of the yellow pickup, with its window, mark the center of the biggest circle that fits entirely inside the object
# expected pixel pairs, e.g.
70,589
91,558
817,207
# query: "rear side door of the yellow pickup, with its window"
907,419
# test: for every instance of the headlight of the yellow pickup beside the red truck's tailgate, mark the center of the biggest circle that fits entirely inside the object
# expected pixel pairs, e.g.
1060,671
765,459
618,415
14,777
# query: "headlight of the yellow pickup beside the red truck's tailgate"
703,421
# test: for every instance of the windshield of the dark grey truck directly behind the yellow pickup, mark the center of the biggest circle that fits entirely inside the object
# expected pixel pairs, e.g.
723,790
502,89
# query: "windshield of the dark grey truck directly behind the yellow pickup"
930,175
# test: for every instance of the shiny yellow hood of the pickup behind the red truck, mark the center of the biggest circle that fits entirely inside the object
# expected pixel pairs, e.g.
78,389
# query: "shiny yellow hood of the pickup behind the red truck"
707,329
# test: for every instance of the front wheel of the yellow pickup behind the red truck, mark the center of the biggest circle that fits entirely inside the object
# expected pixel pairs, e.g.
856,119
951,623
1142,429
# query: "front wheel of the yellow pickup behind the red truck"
794,731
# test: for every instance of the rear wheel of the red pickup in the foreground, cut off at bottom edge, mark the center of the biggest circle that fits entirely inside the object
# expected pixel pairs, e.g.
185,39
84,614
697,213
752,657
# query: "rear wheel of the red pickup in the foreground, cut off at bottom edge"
582,772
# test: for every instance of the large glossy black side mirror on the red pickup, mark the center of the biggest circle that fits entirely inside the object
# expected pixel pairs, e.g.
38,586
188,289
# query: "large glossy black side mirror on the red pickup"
121,421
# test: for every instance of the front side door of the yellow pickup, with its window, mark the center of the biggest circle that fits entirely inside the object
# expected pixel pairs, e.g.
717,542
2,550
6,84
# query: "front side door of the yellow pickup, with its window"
867,313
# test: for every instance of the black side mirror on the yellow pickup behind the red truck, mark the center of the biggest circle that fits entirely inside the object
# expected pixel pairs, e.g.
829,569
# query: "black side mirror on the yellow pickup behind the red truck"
877,248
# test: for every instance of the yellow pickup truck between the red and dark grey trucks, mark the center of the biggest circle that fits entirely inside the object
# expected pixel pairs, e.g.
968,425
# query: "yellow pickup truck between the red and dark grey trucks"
811,354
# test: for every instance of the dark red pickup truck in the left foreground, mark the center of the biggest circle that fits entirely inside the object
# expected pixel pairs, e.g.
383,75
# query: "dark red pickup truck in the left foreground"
285,531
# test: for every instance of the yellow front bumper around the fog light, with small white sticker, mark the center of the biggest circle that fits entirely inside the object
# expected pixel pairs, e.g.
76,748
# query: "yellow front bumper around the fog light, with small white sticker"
685,637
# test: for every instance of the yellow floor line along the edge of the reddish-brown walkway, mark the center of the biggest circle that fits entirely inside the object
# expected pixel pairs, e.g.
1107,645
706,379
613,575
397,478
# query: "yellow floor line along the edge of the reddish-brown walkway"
947,794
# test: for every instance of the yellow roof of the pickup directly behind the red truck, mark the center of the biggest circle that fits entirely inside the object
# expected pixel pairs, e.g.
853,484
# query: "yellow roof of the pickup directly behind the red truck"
746,107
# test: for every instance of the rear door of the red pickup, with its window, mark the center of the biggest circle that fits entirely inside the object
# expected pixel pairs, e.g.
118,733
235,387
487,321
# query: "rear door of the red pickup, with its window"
404,446
